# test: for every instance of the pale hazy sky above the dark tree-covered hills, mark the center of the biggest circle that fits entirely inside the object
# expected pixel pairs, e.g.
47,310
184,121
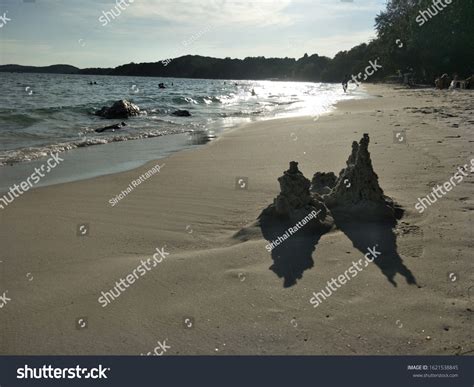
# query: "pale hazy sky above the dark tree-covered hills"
85,33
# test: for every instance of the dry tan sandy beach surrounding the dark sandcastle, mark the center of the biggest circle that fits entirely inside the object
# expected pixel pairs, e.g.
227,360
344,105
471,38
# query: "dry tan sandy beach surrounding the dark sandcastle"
214,292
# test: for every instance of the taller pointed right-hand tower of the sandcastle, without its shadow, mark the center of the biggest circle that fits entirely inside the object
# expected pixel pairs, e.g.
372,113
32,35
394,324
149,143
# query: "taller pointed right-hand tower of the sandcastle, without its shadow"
357,189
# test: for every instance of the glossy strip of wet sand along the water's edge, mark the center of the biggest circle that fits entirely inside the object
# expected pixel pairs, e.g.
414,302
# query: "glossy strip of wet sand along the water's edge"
118,152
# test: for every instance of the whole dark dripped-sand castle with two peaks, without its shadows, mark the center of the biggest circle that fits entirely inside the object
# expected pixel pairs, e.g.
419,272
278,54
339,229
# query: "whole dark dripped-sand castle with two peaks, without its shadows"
354,194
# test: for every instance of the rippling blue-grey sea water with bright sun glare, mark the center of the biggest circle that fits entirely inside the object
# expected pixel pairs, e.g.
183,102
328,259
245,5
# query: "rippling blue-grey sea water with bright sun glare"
44,113
